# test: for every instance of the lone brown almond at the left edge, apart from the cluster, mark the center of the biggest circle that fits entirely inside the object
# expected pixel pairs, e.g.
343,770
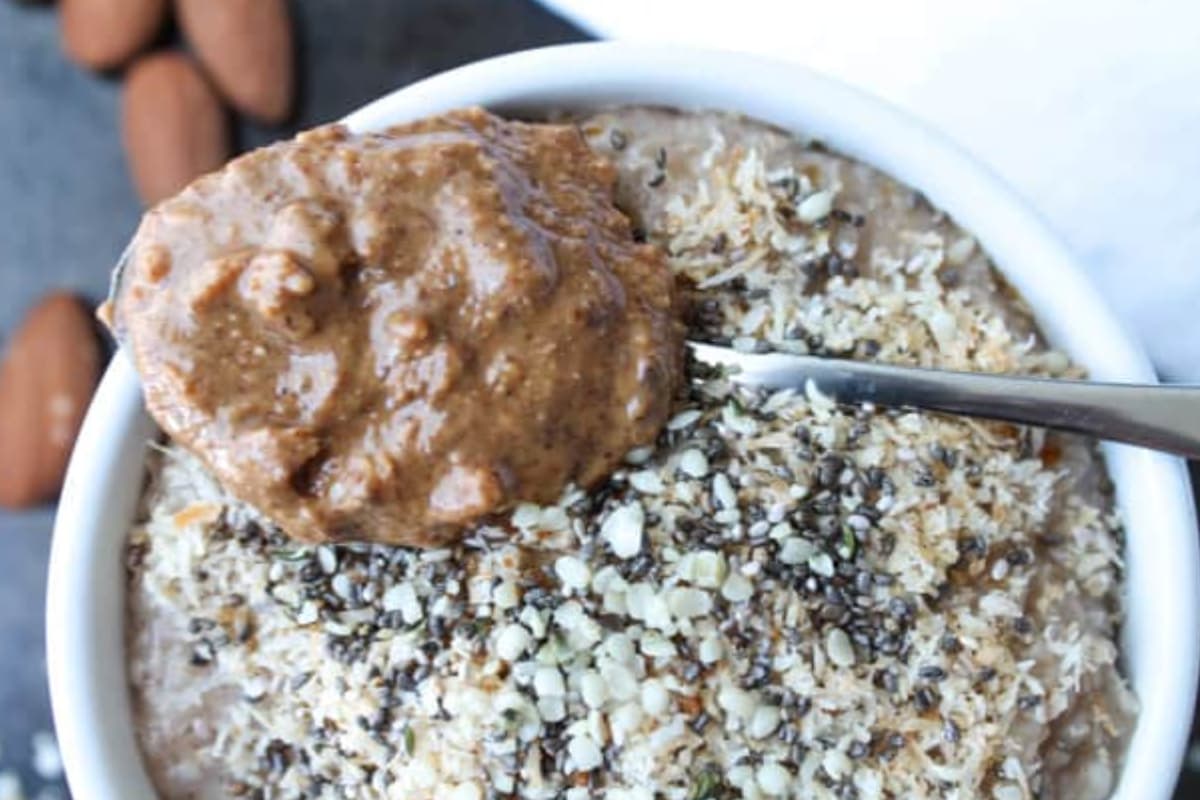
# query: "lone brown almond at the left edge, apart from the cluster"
47,376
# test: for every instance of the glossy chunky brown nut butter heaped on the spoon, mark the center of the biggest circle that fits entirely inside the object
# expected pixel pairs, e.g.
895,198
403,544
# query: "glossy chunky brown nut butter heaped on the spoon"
391,336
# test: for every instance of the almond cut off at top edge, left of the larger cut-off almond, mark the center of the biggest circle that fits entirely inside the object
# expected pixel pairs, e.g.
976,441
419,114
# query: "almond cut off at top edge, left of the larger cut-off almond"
106,34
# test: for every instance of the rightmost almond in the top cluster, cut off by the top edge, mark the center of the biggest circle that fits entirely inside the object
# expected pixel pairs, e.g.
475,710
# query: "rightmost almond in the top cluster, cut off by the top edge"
247,47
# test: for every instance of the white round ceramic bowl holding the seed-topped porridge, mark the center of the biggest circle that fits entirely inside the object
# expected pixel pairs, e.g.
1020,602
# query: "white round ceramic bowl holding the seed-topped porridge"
1161,643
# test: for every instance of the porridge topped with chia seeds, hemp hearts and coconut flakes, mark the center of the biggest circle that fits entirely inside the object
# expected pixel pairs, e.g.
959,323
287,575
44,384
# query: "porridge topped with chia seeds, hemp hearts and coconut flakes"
781,598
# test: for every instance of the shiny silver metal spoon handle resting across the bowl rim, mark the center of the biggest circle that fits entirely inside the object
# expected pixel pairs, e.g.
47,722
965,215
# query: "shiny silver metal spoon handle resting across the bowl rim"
1162,418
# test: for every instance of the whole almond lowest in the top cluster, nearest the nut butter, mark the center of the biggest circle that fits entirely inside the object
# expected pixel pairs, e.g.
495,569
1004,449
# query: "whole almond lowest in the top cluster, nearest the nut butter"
173,125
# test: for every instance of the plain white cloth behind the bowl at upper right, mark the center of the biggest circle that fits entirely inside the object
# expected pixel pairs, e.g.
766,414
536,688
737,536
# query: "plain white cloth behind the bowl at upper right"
1090,109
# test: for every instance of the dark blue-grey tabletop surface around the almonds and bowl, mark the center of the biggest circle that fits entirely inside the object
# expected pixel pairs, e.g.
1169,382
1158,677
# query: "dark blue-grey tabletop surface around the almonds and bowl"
67,209
